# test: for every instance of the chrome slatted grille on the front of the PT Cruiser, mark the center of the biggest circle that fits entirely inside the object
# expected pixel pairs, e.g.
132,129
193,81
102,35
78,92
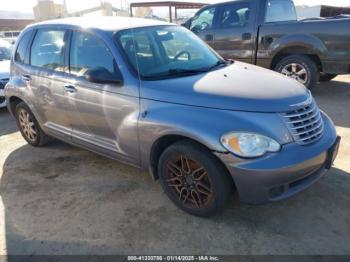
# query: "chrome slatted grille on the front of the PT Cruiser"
305,123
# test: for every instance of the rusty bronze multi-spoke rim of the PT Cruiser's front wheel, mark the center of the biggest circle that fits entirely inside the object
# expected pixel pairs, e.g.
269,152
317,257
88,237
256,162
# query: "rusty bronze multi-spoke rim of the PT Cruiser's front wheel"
189,181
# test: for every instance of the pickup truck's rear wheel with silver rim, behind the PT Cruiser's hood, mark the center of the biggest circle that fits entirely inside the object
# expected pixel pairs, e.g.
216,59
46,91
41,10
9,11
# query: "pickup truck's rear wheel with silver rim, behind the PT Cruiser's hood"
299,67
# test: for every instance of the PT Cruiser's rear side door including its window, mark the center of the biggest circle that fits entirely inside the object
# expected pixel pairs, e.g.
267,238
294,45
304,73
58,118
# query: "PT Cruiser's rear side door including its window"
46,78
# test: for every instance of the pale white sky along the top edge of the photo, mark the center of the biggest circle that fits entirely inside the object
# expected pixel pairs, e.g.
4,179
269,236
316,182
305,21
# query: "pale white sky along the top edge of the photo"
74,5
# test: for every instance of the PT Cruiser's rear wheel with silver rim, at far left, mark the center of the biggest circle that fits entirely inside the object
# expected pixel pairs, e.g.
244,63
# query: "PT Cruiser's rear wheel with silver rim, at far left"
29,126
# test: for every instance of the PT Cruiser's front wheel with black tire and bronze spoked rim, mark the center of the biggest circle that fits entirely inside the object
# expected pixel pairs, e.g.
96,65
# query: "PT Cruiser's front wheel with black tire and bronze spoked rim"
194,179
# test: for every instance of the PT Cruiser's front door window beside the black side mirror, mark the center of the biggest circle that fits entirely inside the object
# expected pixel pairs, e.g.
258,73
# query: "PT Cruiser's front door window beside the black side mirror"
87,51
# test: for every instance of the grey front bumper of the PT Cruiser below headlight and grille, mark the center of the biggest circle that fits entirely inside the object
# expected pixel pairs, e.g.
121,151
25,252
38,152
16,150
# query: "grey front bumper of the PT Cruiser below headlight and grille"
280,175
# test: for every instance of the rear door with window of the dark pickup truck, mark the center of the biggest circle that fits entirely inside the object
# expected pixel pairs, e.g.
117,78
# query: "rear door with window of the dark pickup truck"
235,31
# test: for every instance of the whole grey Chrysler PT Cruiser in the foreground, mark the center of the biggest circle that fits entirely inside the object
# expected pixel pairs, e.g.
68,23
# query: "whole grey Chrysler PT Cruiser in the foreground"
153,95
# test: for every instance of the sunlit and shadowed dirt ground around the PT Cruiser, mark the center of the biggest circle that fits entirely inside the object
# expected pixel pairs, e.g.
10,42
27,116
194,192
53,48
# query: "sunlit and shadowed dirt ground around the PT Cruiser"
64,200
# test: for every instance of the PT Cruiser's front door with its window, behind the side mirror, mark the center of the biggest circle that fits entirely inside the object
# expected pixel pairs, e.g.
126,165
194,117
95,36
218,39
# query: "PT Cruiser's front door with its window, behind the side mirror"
105,115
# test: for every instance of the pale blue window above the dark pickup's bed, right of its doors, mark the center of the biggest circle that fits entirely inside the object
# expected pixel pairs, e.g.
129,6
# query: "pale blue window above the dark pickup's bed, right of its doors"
280,10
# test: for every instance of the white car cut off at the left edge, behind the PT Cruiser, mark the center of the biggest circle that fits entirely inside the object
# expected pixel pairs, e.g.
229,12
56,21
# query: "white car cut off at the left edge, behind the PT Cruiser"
5,56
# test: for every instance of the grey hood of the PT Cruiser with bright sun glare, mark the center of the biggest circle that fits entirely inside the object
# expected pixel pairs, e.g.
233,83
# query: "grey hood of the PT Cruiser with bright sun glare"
239,86
